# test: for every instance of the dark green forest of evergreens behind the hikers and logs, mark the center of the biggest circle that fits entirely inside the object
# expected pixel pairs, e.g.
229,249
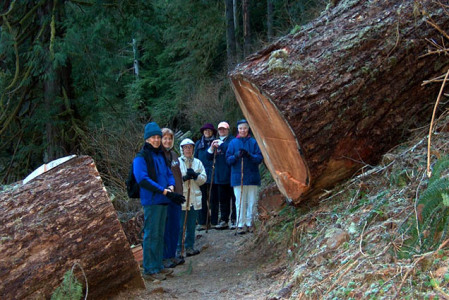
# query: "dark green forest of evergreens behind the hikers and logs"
83,77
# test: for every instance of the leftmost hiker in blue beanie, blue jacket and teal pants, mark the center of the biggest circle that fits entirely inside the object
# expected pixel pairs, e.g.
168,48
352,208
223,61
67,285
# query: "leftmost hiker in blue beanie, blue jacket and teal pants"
156,183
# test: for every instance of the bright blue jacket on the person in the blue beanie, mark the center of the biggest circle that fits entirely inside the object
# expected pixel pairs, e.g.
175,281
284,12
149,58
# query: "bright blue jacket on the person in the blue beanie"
153,182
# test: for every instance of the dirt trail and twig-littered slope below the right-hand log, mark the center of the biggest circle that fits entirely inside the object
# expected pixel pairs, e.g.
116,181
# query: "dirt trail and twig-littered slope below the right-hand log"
354,244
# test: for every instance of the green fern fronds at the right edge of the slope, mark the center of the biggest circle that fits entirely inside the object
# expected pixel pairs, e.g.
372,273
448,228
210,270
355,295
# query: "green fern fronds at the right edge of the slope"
433,212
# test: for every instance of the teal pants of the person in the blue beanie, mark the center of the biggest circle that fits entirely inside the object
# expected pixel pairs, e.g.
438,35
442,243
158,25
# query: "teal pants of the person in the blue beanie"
153,237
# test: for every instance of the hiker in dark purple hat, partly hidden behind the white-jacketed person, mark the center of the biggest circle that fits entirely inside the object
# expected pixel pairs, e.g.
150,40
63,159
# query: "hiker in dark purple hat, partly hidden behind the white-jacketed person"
208,132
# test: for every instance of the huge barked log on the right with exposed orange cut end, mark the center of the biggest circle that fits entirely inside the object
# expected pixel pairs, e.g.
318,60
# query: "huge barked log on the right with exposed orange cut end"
342,91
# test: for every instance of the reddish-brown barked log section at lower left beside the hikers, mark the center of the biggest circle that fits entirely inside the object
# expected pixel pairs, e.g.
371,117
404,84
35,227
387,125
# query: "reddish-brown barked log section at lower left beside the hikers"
60,218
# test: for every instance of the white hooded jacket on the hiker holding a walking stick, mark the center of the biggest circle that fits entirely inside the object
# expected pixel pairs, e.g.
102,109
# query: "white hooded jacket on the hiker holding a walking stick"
192,185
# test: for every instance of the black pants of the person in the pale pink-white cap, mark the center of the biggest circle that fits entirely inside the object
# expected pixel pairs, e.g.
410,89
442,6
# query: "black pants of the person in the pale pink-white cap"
222,195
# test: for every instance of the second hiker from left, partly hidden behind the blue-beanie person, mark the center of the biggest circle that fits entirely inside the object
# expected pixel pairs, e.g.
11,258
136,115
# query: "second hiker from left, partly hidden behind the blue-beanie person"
172,225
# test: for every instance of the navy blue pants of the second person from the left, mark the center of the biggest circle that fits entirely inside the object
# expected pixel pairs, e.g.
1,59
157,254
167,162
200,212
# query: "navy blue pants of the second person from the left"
172,228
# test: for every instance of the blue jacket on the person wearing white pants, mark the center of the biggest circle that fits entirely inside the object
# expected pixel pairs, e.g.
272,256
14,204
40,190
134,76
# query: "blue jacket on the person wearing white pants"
251,175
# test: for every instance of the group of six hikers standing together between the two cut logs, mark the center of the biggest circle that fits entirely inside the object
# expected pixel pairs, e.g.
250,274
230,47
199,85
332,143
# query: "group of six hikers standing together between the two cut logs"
213,184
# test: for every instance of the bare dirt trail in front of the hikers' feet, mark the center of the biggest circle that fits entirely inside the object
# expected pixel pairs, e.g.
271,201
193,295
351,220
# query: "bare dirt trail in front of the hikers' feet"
228,267
